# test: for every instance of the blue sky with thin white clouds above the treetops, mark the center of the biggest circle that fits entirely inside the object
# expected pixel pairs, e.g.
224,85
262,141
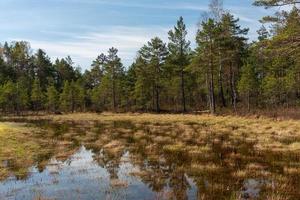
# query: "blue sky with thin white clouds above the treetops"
84,29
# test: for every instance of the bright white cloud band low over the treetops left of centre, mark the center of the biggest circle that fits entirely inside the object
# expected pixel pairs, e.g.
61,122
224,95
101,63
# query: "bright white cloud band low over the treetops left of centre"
85,47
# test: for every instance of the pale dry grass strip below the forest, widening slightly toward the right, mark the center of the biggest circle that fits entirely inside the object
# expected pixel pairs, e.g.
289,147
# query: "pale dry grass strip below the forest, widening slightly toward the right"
261,124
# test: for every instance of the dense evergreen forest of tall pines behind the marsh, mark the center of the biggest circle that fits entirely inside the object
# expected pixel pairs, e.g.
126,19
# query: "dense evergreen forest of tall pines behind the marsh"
224,72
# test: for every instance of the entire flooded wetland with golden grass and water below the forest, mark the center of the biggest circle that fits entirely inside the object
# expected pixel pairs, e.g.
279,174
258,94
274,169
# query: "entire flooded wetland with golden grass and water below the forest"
144,156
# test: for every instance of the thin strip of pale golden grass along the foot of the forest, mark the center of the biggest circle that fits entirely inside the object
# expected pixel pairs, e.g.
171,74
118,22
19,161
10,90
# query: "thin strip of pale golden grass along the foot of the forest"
156,118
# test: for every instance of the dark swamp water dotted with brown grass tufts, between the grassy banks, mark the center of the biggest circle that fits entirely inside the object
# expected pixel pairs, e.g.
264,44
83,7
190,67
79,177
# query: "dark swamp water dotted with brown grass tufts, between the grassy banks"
122,160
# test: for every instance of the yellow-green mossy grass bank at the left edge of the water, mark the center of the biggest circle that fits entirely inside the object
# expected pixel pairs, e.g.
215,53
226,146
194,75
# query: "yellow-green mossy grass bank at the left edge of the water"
23,146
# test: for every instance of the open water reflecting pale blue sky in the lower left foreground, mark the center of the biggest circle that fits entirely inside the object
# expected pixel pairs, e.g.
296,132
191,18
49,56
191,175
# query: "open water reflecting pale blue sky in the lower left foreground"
80,177
